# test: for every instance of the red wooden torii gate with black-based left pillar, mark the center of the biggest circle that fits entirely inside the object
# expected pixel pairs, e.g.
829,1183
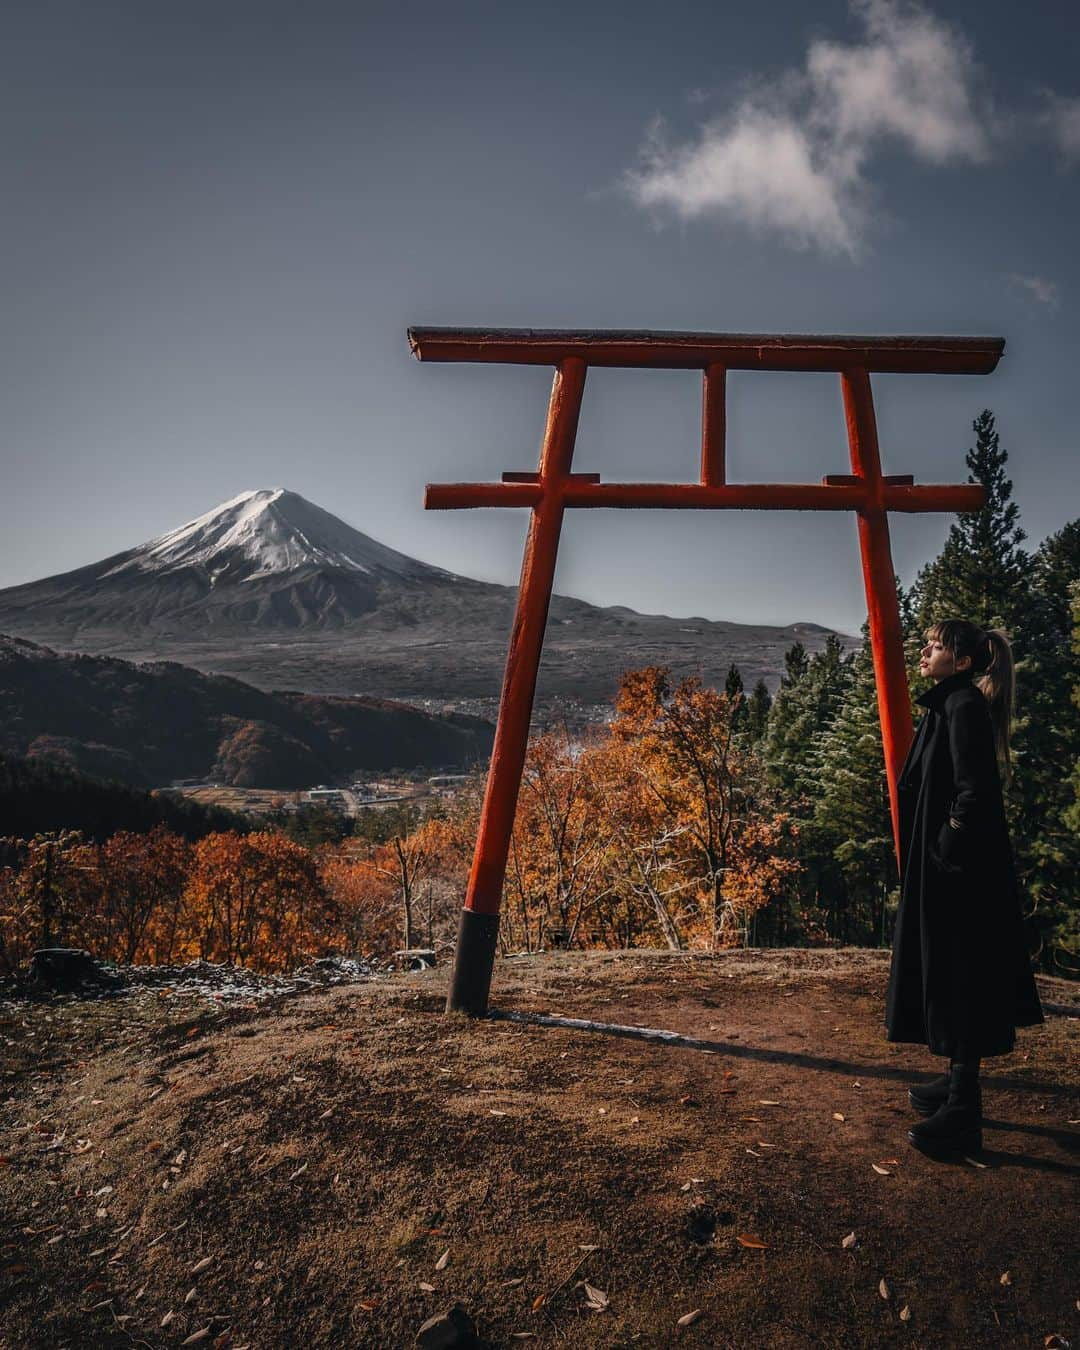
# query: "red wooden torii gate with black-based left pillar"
553,488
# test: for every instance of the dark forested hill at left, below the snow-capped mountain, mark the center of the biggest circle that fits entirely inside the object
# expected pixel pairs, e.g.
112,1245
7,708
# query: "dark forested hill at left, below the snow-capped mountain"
146,726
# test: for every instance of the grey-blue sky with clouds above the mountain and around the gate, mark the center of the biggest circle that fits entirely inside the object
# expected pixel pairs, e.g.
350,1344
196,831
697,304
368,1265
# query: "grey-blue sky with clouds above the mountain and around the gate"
222,218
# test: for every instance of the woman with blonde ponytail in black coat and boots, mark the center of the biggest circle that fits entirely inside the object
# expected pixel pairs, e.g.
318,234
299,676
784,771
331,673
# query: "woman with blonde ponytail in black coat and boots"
961,981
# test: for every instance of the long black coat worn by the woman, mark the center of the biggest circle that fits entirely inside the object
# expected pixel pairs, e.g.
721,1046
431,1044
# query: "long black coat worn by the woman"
962,978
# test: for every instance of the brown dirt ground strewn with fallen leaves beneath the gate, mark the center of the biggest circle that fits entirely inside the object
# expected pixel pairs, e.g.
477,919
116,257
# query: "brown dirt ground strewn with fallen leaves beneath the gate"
335,1167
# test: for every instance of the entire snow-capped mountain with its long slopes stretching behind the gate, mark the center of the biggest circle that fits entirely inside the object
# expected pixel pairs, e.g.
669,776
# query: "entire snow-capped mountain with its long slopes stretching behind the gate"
277,592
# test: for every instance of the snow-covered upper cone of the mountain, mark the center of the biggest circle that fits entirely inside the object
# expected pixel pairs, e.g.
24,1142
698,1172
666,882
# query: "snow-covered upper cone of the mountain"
267,533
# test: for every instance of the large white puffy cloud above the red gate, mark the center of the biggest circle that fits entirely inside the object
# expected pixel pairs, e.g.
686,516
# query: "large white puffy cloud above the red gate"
792,159
